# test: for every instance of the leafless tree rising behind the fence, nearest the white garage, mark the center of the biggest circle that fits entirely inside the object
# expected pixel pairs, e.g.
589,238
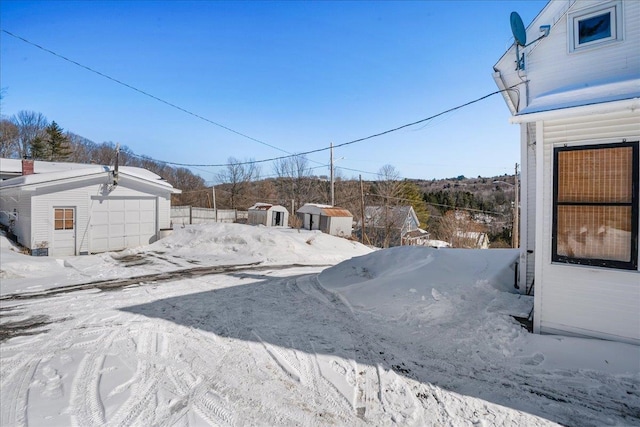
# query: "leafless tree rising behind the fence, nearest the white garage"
239,175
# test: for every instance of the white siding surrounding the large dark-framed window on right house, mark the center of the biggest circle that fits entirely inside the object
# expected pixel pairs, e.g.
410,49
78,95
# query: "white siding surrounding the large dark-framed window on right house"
599,302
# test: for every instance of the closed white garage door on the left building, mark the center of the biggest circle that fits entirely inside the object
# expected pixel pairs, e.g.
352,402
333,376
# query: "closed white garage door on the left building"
120,223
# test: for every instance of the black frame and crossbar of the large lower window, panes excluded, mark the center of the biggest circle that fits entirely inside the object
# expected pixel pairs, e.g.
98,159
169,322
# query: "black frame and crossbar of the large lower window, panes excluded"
632,264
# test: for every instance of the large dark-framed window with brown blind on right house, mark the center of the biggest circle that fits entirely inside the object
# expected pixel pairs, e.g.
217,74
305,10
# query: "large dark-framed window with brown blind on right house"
596,205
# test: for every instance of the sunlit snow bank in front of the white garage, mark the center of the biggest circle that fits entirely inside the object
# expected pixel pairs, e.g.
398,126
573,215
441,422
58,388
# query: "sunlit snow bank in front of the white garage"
188,247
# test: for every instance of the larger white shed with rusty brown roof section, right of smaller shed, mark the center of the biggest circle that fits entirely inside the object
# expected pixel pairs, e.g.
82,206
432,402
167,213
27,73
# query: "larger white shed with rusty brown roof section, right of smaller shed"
328,219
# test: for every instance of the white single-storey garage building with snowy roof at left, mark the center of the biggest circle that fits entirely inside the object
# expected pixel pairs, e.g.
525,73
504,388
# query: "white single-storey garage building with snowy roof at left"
63,209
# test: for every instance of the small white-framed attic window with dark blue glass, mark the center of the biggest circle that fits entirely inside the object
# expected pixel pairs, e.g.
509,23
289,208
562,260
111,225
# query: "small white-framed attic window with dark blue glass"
595,26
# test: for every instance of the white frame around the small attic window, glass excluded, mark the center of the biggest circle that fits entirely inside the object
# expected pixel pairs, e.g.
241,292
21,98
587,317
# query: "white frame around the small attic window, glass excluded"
573,25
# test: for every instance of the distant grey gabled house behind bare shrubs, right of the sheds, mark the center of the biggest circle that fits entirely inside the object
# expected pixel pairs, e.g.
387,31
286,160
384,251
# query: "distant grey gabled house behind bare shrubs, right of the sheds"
387,226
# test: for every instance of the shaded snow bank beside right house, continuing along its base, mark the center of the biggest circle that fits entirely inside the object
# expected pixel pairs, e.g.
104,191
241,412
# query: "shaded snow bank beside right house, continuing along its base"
460,302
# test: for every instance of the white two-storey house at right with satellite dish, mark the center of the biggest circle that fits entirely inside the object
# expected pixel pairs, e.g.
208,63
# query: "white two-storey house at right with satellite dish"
576,95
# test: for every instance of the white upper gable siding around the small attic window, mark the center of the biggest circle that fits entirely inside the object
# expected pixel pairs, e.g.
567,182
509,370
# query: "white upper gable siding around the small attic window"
550,65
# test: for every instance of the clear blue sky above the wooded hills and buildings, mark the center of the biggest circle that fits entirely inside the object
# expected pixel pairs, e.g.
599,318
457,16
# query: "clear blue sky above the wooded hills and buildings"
294,75
